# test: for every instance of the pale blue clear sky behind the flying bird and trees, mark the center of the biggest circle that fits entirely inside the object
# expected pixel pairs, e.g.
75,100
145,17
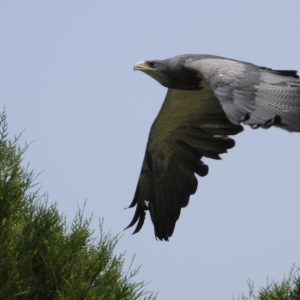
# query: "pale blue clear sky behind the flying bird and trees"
66,74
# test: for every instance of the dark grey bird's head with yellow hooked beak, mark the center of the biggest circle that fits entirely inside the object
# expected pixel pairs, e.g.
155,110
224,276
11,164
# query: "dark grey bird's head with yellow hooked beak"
171,73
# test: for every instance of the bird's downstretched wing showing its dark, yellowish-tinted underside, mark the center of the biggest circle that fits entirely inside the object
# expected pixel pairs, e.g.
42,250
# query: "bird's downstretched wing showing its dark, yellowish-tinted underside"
190,125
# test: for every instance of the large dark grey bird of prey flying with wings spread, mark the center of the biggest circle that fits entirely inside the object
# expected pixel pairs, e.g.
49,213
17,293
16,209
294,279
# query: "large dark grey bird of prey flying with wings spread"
209,99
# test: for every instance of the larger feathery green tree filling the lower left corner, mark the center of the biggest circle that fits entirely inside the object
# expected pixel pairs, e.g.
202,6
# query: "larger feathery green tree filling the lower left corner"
40,256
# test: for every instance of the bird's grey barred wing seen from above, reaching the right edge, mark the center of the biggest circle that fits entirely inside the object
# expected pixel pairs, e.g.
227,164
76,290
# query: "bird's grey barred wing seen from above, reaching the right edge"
254,95
